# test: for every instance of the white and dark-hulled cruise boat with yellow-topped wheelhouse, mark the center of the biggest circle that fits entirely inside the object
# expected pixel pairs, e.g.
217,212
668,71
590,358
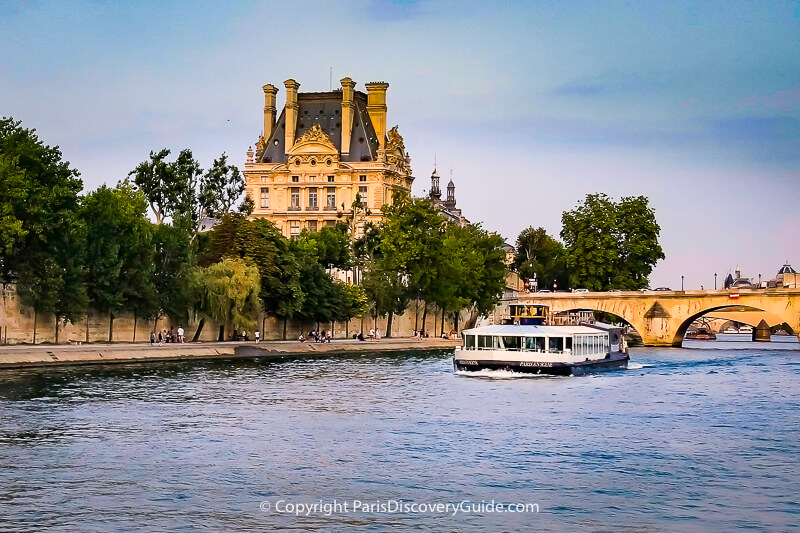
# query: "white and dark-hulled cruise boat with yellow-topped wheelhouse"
525,343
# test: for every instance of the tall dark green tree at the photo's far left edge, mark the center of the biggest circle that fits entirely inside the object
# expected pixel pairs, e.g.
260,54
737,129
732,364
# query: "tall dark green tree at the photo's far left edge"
44,236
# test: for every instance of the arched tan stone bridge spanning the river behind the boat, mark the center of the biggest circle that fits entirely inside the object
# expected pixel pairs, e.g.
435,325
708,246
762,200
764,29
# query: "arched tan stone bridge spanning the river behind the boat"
662,317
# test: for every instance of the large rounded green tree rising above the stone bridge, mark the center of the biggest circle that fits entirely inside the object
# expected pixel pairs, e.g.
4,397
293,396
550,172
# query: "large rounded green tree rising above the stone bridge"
611,244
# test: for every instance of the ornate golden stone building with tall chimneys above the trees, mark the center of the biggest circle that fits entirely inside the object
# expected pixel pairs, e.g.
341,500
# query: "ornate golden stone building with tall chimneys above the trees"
324,152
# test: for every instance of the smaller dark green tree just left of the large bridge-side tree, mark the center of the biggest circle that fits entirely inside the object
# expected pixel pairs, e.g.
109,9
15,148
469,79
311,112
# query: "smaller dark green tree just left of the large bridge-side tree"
541,256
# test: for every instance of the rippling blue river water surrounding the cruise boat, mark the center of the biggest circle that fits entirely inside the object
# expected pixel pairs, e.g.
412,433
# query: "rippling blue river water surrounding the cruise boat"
703,438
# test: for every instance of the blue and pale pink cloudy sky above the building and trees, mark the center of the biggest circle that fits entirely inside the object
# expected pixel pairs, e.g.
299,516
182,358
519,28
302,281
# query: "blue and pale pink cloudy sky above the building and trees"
530,105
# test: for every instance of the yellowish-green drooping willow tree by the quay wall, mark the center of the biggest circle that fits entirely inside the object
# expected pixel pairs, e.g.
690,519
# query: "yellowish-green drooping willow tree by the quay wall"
227,293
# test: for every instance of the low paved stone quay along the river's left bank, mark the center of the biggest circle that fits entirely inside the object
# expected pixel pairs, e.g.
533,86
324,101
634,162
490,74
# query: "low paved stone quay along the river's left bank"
87,354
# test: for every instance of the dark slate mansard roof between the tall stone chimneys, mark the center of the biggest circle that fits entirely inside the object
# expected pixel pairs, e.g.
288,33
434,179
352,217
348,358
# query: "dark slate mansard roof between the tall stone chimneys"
325,109
